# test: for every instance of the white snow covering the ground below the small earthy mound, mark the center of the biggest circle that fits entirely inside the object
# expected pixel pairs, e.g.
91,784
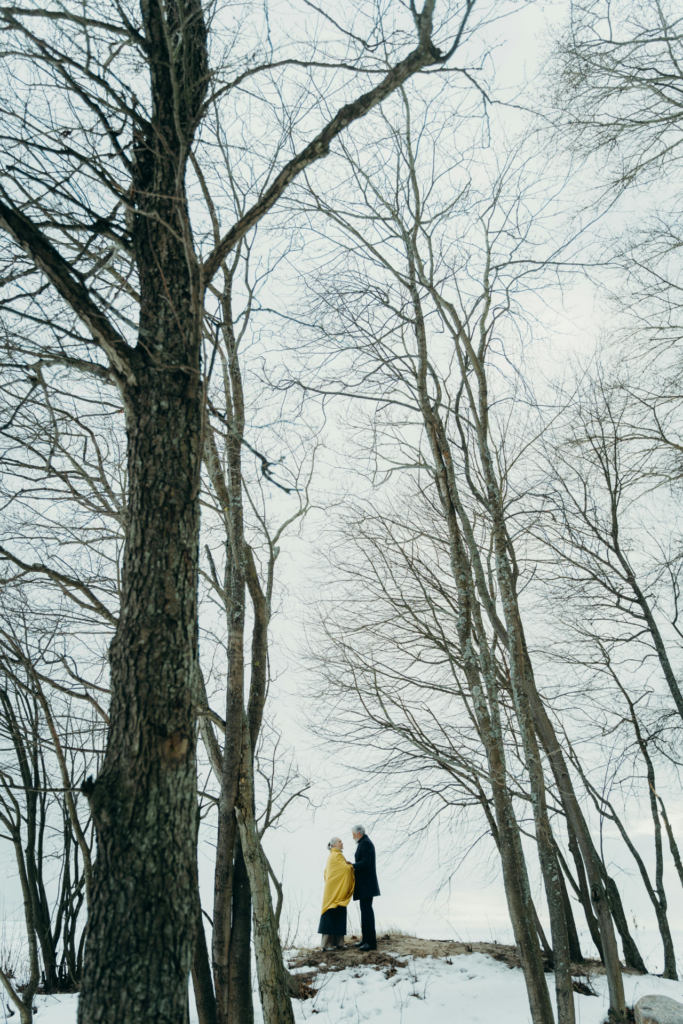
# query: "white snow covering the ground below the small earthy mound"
472,990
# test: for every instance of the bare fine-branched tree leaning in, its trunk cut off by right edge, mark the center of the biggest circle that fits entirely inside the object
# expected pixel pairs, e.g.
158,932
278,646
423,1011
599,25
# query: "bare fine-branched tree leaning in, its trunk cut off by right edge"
601,474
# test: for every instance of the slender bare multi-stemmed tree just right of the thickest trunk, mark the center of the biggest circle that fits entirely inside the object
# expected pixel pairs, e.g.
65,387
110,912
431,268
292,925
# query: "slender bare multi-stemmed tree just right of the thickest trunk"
241,864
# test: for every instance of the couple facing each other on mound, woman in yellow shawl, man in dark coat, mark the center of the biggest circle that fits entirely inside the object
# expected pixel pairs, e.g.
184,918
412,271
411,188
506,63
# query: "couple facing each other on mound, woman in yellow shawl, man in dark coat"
344,881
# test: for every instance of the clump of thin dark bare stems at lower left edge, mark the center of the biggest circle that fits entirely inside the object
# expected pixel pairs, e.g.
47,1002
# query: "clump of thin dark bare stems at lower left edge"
48,752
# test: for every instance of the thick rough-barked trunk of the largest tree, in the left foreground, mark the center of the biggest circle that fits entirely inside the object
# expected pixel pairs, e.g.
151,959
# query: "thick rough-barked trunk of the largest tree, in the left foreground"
143,923
